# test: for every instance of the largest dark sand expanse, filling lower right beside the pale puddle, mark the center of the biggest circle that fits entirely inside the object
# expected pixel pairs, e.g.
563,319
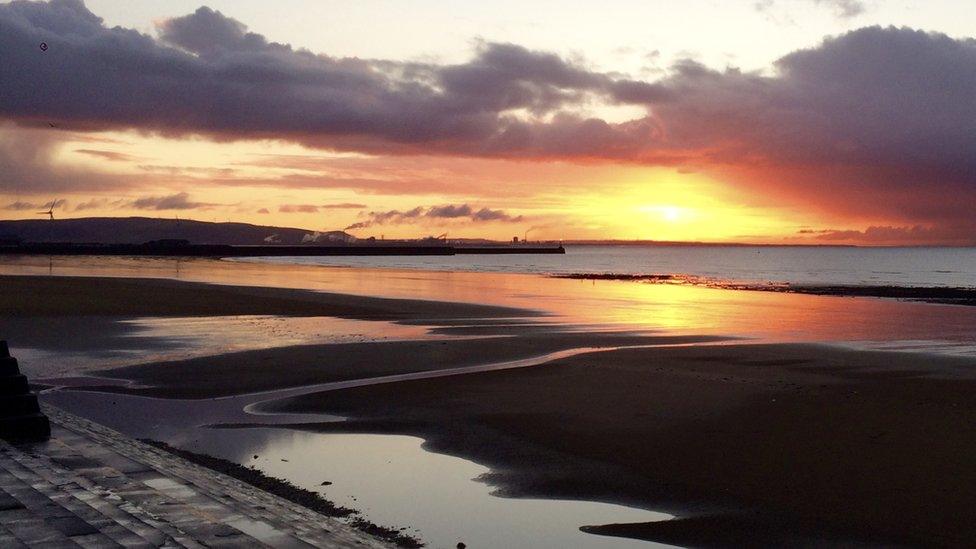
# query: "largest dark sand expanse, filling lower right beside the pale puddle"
837,443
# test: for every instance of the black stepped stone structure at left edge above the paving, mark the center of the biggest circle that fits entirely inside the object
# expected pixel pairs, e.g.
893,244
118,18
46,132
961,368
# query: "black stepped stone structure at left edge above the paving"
20,416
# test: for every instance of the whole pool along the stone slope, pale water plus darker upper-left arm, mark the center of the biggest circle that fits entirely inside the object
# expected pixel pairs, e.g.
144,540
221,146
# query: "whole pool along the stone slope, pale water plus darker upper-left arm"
390,478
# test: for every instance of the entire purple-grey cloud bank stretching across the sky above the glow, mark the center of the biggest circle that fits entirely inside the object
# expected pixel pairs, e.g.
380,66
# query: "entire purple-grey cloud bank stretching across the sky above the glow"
875,122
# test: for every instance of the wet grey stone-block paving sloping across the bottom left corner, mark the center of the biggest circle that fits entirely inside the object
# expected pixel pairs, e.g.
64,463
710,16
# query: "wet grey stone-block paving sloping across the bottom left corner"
89,486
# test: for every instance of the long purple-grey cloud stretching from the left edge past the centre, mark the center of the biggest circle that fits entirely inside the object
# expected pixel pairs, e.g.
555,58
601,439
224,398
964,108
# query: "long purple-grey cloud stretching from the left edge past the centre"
207,75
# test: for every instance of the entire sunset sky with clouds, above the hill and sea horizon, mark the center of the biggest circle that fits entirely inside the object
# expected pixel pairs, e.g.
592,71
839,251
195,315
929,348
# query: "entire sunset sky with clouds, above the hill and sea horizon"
771,121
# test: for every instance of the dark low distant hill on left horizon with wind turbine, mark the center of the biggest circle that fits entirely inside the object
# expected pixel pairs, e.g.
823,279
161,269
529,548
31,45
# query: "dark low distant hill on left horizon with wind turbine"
137,230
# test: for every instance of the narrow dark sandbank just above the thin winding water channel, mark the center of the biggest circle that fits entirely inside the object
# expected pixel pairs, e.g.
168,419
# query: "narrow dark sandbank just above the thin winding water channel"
296,366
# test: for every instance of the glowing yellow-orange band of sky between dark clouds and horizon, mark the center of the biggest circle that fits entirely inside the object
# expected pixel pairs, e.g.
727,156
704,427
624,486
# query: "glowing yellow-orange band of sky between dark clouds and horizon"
281,184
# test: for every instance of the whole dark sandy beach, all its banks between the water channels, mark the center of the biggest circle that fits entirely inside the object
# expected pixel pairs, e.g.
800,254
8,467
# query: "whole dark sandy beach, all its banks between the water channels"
767,442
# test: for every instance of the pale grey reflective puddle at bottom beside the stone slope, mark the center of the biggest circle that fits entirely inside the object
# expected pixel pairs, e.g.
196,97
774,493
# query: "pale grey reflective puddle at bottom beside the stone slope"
395,482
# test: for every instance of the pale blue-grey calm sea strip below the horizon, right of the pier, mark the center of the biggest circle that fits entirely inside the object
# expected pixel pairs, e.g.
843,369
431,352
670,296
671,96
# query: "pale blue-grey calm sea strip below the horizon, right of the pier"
949,267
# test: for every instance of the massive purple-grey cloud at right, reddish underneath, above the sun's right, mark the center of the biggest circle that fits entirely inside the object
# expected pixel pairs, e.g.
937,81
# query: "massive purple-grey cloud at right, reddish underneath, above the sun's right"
878,120
